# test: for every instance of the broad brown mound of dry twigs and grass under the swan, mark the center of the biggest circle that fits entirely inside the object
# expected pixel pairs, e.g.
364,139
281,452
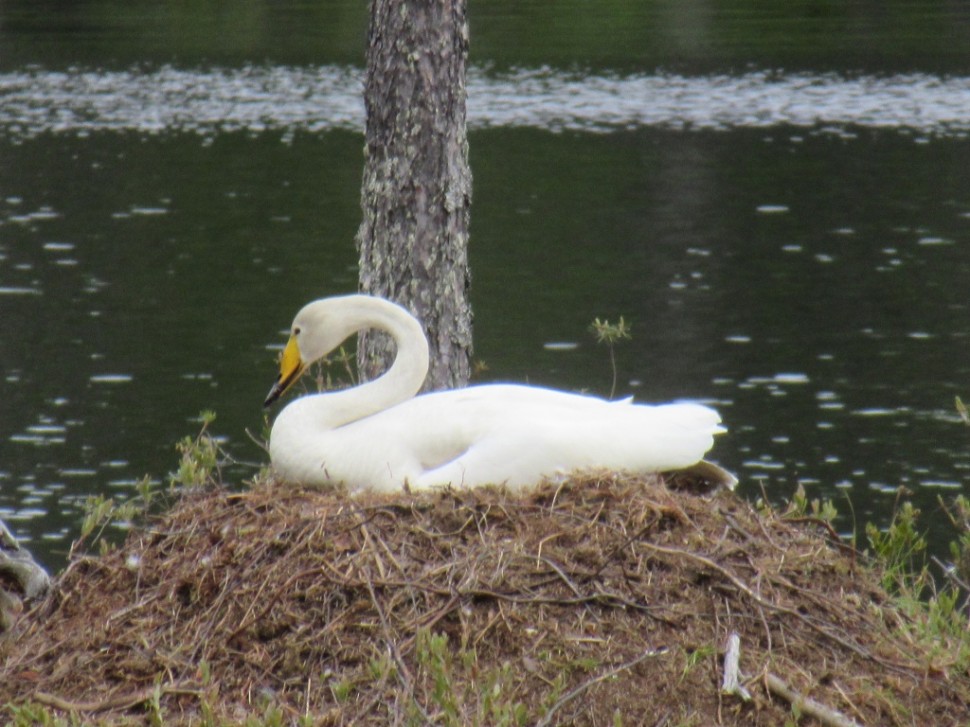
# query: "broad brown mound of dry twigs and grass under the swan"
600,601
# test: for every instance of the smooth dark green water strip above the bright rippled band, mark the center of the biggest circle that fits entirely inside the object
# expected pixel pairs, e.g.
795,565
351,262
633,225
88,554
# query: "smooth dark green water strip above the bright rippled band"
619,35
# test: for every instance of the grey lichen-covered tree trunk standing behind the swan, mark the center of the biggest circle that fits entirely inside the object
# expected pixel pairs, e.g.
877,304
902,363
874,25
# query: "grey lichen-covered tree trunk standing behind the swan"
416,191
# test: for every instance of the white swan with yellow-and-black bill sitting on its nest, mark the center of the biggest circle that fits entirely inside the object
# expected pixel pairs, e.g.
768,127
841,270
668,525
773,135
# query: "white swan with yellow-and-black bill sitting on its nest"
382,436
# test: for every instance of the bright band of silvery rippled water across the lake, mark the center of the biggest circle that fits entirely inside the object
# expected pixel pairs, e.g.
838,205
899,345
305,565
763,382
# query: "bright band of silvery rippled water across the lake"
257,99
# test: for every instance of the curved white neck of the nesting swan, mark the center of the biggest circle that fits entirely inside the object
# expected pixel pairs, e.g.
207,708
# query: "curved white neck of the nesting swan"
400,382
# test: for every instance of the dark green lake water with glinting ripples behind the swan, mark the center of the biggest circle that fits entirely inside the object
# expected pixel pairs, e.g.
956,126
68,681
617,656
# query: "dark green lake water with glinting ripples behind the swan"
785,219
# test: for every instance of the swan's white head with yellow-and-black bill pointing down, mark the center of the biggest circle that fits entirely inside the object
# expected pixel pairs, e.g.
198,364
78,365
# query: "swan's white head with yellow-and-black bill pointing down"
316,331
